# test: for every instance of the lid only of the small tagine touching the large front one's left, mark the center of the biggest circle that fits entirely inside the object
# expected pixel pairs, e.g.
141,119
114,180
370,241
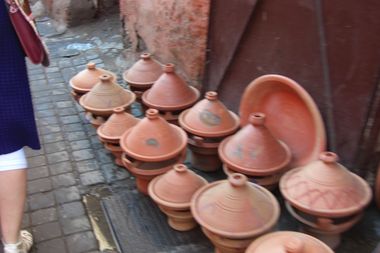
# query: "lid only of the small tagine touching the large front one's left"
175,188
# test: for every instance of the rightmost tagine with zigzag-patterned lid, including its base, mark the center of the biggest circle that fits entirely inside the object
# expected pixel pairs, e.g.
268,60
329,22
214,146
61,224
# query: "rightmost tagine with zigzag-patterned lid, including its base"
325,197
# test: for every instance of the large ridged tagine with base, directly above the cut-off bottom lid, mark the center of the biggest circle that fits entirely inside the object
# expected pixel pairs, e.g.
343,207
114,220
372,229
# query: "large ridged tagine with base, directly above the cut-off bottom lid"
234,212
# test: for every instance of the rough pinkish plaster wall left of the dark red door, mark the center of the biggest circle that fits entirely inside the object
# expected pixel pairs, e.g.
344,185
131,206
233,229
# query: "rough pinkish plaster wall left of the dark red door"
173,31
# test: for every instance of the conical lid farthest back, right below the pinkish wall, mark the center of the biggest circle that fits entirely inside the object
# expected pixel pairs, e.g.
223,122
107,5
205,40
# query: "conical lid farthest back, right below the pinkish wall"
144,72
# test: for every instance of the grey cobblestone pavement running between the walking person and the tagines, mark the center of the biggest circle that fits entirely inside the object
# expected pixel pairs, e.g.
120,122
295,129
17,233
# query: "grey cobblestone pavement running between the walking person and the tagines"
72,164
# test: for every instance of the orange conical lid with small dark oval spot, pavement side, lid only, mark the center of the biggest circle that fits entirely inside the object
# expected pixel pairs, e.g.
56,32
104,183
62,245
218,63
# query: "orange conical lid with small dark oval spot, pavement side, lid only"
153,139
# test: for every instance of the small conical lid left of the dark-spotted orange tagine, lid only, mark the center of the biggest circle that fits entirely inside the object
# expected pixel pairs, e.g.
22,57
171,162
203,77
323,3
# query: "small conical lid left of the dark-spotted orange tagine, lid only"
119,122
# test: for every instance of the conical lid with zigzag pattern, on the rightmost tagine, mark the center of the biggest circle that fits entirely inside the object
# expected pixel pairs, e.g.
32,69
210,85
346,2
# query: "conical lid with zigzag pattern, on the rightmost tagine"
325,188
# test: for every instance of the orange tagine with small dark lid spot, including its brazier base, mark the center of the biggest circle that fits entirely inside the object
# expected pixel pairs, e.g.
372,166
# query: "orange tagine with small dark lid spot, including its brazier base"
152,147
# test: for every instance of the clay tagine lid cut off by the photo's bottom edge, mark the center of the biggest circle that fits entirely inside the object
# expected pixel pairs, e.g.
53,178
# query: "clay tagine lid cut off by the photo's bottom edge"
288,242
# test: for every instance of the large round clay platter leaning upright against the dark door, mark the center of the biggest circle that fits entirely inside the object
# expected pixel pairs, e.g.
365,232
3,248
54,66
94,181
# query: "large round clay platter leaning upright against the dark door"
291,115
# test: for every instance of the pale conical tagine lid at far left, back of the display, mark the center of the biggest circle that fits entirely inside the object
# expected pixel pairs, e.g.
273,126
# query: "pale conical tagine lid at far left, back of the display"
86,79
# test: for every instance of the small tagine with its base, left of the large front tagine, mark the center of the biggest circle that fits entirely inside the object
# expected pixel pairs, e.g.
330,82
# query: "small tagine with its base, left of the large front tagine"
173,192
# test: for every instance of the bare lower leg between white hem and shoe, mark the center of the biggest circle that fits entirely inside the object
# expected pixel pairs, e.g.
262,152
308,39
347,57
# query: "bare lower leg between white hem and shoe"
12,200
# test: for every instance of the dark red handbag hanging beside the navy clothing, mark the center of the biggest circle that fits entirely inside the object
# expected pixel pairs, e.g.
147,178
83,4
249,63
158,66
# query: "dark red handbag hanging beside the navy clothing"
27,33
